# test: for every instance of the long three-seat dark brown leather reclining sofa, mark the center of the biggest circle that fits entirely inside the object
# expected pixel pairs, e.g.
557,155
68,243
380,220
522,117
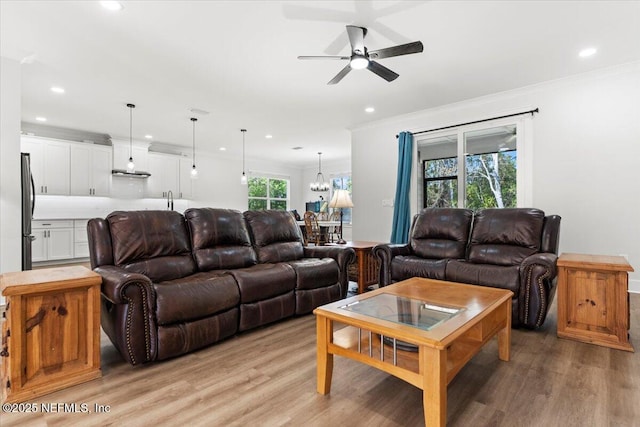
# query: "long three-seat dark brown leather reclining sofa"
174,283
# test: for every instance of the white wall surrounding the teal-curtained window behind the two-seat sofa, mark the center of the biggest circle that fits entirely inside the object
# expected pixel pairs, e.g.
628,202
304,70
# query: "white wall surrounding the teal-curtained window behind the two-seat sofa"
585,165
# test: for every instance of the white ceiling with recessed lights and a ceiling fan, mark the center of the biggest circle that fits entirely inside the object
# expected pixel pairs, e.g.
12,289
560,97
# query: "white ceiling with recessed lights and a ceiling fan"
237,60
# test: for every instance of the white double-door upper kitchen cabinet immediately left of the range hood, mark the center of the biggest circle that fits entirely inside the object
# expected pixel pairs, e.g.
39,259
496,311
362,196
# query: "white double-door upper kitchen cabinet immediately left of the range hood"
90,170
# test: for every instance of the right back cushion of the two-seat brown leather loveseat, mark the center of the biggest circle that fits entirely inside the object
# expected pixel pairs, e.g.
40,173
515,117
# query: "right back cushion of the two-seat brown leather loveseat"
505,236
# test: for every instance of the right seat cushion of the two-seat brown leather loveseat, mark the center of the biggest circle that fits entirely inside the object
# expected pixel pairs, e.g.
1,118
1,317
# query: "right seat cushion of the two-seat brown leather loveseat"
497,276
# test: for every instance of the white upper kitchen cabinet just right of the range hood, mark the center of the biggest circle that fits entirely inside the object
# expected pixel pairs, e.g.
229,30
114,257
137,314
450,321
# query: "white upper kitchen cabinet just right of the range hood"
165,175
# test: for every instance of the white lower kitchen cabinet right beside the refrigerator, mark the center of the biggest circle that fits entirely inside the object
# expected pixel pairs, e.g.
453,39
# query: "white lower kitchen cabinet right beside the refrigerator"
54,240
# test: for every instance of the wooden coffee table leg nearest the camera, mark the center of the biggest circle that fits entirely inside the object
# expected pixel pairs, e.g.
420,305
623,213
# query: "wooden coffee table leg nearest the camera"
433,366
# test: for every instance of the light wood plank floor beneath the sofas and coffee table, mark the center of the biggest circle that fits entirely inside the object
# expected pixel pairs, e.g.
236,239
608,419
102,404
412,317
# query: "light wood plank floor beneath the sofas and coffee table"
267,378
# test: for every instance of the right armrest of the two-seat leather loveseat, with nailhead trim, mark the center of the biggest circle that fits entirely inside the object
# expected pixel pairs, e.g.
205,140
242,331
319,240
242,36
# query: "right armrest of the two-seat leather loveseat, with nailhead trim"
538,274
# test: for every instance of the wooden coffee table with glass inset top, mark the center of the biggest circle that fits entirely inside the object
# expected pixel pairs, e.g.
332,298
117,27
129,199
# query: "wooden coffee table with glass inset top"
447,322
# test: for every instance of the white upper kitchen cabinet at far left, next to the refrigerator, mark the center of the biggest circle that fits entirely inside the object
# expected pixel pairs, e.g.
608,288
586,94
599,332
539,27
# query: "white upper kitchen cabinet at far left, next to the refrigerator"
50,161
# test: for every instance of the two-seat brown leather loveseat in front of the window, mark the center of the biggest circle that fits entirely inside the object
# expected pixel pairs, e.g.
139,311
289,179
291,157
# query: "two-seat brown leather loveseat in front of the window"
514,249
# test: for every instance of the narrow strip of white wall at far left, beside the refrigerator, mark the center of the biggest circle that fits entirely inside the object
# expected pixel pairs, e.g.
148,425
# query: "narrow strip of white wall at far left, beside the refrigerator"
10,196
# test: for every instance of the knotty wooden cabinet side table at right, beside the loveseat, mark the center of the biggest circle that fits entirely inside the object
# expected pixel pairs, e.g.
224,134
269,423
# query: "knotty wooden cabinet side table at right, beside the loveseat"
593,299
